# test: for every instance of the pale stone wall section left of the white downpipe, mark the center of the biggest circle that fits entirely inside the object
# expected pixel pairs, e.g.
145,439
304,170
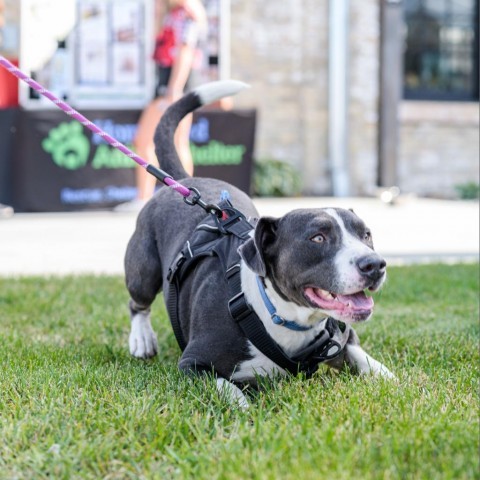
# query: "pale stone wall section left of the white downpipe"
280,48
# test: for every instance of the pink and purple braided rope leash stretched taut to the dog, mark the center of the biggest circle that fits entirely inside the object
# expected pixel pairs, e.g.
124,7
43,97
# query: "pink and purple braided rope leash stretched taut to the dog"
156,172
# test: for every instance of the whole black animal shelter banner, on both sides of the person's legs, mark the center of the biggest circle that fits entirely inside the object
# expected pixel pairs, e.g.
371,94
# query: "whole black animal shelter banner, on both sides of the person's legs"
61,166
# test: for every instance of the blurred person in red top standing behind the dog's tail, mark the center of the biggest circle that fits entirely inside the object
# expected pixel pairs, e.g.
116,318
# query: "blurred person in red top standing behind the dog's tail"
177,55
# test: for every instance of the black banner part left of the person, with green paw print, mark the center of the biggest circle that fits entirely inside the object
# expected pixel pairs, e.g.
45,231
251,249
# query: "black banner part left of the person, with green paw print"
61,166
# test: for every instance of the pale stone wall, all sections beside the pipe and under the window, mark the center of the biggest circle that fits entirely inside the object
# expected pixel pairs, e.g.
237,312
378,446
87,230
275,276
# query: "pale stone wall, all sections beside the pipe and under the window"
281,49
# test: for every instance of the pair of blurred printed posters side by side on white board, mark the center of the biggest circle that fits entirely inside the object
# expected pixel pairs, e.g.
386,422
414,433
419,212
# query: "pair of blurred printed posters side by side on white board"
110,70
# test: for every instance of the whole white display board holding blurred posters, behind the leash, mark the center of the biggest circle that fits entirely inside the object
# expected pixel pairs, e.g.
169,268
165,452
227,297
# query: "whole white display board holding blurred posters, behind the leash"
93,58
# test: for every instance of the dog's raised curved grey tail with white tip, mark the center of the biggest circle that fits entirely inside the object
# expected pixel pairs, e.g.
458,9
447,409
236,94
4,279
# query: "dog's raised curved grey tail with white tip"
164,134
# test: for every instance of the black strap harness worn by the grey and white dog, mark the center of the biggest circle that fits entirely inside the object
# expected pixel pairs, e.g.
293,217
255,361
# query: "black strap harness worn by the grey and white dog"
221,238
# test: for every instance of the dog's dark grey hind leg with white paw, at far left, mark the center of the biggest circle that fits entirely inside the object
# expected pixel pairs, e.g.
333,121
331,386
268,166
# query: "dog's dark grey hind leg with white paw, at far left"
144,281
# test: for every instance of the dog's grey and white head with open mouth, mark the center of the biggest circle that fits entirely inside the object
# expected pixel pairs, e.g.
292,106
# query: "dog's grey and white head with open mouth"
318,258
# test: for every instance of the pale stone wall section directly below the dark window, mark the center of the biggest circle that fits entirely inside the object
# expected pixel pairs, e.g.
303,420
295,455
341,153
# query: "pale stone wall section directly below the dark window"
439,147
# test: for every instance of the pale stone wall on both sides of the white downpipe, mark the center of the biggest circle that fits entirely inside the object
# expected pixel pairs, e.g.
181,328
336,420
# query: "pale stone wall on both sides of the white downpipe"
283,54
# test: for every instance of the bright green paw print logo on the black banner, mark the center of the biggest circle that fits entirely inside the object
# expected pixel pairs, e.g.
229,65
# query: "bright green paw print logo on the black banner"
68,145
